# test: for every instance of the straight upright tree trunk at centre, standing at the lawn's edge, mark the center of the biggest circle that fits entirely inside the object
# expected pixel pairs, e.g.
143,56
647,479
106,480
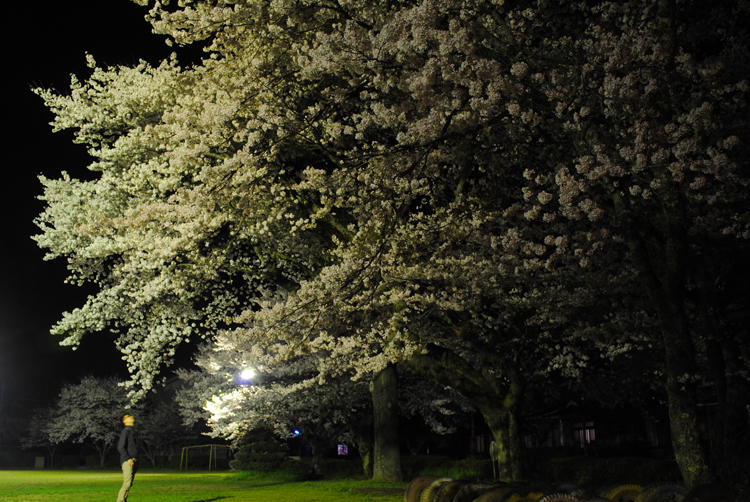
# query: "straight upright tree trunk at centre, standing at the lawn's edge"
386,451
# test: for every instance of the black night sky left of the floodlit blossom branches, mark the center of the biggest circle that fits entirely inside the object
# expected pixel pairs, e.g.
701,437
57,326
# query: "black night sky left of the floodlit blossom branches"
46,41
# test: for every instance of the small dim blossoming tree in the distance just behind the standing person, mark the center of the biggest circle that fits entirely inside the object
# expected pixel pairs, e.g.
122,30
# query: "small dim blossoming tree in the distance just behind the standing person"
90,413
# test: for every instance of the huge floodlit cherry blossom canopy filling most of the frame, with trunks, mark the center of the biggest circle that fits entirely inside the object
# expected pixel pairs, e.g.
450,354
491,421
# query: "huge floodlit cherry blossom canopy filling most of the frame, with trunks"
448,184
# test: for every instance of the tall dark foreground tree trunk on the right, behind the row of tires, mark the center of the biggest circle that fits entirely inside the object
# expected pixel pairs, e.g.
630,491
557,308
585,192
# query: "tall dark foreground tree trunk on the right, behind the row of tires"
660,254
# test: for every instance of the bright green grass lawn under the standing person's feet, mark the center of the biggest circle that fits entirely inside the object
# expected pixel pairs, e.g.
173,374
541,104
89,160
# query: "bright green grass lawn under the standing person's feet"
163,486
